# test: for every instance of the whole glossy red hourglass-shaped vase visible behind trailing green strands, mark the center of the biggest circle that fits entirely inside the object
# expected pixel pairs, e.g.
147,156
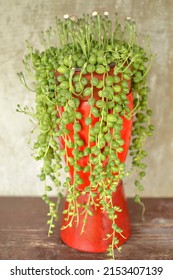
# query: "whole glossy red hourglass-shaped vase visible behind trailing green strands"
98,225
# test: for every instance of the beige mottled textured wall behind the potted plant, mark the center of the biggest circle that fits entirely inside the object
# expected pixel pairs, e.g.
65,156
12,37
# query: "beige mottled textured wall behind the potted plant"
20,20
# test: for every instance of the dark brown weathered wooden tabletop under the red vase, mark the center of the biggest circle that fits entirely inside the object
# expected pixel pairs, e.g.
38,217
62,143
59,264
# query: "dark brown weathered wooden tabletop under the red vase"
23,232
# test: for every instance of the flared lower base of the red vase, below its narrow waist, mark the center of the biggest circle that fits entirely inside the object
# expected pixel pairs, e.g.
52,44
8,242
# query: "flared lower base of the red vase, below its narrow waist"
97,226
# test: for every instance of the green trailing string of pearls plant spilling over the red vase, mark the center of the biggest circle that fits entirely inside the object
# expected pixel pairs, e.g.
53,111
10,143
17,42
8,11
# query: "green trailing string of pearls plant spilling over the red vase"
90,44
